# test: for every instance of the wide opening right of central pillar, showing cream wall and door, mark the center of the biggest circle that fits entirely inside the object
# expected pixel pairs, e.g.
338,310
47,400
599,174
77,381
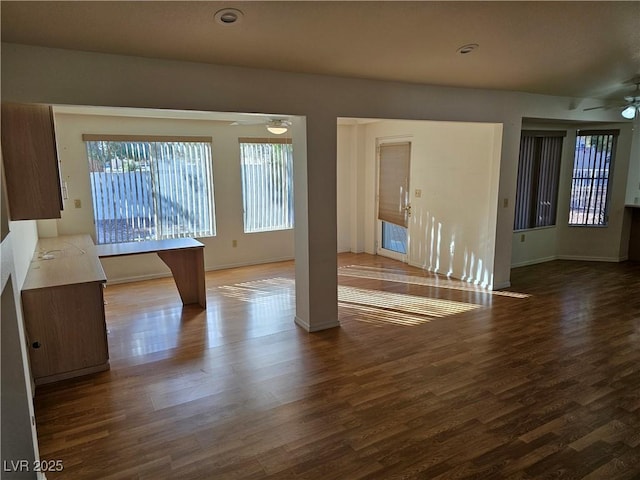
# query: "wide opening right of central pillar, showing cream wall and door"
444,205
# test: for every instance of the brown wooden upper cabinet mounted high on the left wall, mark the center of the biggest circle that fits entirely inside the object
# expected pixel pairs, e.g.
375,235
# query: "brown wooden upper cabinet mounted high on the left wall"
30,162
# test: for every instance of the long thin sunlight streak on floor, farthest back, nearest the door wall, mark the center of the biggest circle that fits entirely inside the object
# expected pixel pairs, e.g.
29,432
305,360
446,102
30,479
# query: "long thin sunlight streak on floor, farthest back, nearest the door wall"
388,275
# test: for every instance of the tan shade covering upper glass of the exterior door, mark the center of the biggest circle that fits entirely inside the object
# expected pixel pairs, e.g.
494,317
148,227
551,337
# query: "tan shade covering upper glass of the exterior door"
393,182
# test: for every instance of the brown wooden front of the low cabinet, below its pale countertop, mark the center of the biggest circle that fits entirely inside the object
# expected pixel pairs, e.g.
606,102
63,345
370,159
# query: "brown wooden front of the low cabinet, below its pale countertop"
66,330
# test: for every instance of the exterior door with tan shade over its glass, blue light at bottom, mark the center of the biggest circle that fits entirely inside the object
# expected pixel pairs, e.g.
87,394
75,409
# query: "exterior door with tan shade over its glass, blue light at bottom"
394,208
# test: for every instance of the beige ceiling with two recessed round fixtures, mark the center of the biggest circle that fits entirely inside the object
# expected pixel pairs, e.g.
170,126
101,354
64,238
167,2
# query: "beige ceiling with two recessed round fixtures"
580,49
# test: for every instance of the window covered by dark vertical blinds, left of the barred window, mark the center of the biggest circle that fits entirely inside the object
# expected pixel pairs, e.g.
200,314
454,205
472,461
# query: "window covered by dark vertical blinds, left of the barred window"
538,177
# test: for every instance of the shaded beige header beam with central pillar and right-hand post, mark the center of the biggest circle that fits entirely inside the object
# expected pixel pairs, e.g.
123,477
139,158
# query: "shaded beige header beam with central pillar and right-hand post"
35,74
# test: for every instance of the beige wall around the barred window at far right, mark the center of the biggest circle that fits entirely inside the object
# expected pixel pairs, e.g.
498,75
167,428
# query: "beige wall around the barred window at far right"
562,241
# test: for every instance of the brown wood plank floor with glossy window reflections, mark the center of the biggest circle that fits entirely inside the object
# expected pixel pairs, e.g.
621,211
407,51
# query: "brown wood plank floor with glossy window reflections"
427,378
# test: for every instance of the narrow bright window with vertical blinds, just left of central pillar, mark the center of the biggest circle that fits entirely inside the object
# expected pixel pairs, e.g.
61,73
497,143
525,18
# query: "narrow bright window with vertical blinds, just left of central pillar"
267,184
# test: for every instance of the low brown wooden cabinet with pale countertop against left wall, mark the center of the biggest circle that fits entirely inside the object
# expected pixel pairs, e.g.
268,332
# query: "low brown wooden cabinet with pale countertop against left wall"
63,306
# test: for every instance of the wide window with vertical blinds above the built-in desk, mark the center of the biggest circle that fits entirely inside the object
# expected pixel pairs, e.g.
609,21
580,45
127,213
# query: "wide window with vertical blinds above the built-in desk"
150,188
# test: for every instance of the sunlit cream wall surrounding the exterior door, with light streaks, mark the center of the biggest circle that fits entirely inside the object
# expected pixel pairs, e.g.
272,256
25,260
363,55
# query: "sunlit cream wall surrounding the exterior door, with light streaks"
455,166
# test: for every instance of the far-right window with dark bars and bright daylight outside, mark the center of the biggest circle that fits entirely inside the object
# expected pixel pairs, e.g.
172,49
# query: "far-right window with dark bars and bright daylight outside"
594,156
